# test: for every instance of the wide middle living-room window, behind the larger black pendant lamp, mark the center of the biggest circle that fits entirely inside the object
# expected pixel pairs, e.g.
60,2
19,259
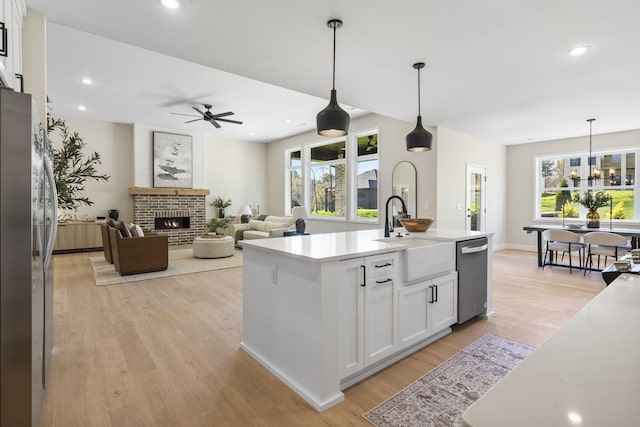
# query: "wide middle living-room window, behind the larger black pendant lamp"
328,179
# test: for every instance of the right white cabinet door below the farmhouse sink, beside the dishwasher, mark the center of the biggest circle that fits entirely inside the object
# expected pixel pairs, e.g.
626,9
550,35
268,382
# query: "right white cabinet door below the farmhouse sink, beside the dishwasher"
444,309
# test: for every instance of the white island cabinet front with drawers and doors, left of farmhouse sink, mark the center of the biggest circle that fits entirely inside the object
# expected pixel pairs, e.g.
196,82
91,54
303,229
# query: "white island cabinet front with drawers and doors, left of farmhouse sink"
368,313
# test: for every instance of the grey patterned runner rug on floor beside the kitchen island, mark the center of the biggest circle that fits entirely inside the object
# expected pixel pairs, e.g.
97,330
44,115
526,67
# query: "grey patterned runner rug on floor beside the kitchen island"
440,397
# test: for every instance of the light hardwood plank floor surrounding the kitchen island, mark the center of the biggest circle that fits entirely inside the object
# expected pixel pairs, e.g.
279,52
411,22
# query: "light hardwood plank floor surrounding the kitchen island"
165,352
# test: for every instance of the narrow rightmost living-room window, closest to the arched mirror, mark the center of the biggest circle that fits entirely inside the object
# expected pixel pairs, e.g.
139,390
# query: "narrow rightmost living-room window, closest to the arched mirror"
366,179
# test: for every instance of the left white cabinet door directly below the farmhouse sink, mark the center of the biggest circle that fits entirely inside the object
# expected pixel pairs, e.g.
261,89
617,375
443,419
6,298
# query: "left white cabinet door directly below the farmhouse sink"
413,318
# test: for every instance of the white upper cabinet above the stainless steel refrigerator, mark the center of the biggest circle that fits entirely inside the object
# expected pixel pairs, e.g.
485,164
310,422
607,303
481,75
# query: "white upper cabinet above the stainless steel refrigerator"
12,13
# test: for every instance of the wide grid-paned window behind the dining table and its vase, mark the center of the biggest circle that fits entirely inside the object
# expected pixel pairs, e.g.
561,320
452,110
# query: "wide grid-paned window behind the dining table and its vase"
560,178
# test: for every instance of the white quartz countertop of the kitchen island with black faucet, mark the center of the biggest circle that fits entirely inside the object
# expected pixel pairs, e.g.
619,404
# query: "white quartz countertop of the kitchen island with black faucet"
352,244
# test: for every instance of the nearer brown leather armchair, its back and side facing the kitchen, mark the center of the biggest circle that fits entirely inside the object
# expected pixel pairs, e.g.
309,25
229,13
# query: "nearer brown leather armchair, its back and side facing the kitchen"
143,254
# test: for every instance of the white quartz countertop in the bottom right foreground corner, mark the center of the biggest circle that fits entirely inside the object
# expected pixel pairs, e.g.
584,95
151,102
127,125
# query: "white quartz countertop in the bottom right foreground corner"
587,374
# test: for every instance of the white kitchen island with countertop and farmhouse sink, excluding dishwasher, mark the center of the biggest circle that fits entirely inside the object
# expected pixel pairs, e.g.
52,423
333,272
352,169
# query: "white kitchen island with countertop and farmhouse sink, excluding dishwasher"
324,311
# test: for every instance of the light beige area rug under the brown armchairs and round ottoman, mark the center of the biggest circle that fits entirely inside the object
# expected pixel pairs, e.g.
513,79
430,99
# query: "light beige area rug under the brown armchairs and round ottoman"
181,261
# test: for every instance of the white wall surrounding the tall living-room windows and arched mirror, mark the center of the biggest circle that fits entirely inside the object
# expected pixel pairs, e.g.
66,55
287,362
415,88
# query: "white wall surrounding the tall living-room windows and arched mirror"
392,149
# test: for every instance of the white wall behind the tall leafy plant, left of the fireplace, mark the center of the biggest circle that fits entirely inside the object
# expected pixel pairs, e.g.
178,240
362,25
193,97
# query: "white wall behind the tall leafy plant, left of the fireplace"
114,142
